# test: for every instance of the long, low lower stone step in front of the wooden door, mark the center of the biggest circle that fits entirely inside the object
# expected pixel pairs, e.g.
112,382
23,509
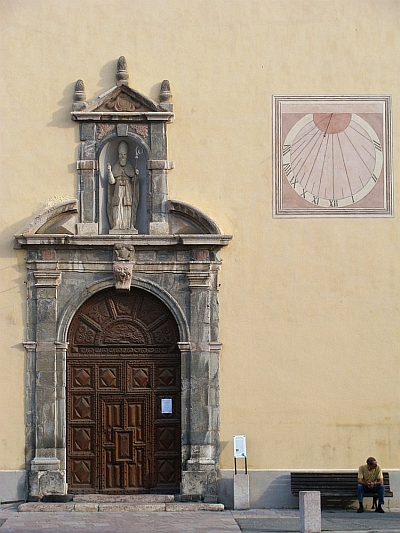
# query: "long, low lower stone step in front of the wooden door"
114,507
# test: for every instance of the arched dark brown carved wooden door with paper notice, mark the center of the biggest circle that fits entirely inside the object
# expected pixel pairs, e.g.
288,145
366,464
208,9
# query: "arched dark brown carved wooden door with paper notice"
123,396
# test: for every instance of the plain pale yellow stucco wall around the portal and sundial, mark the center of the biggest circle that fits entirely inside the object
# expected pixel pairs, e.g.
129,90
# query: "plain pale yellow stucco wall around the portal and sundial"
309,309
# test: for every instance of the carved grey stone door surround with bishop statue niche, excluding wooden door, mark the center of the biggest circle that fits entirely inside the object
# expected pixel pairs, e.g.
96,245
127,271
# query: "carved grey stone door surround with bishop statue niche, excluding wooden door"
122,231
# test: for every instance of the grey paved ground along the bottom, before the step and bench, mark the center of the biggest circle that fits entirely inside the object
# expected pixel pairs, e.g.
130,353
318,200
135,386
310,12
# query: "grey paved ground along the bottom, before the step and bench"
251,521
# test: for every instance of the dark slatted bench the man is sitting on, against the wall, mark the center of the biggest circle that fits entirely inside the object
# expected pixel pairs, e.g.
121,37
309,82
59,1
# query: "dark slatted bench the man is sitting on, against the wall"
333,484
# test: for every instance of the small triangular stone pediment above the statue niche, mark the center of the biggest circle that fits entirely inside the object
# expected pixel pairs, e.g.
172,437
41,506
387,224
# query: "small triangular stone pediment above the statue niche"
123,99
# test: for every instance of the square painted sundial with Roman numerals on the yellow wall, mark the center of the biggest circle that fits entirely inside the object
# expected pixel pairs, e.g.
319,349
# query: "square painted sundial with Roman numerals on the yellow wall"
332,156
